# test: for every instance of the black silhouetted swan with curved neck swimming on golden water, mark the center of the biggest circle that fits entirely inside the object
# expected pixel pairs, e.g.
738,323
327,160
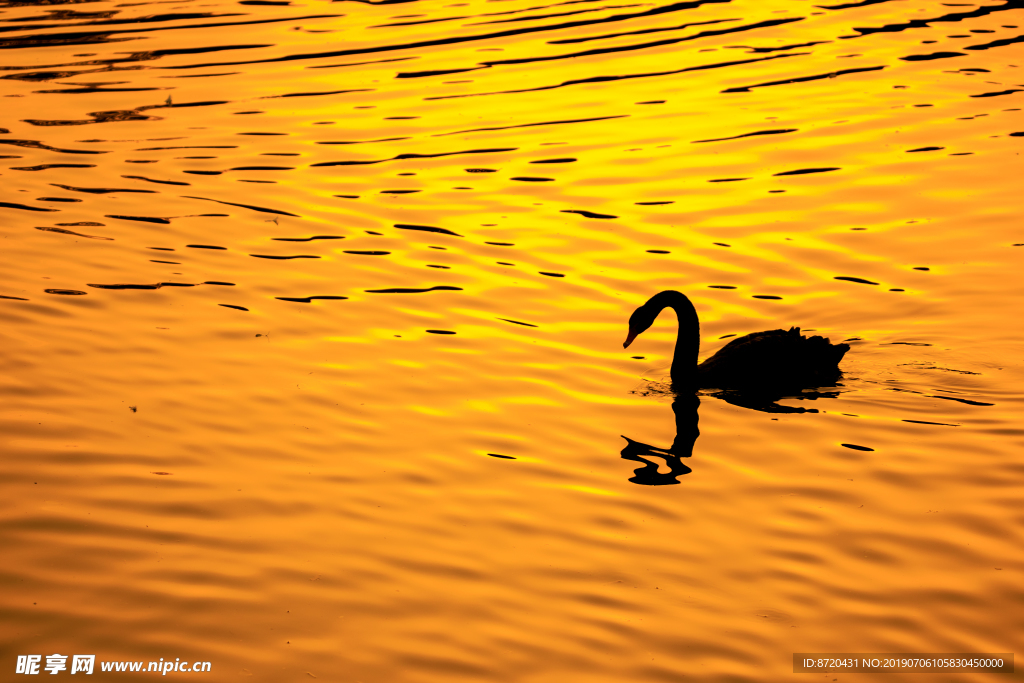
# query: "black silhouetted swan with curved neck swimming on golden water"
763,362
